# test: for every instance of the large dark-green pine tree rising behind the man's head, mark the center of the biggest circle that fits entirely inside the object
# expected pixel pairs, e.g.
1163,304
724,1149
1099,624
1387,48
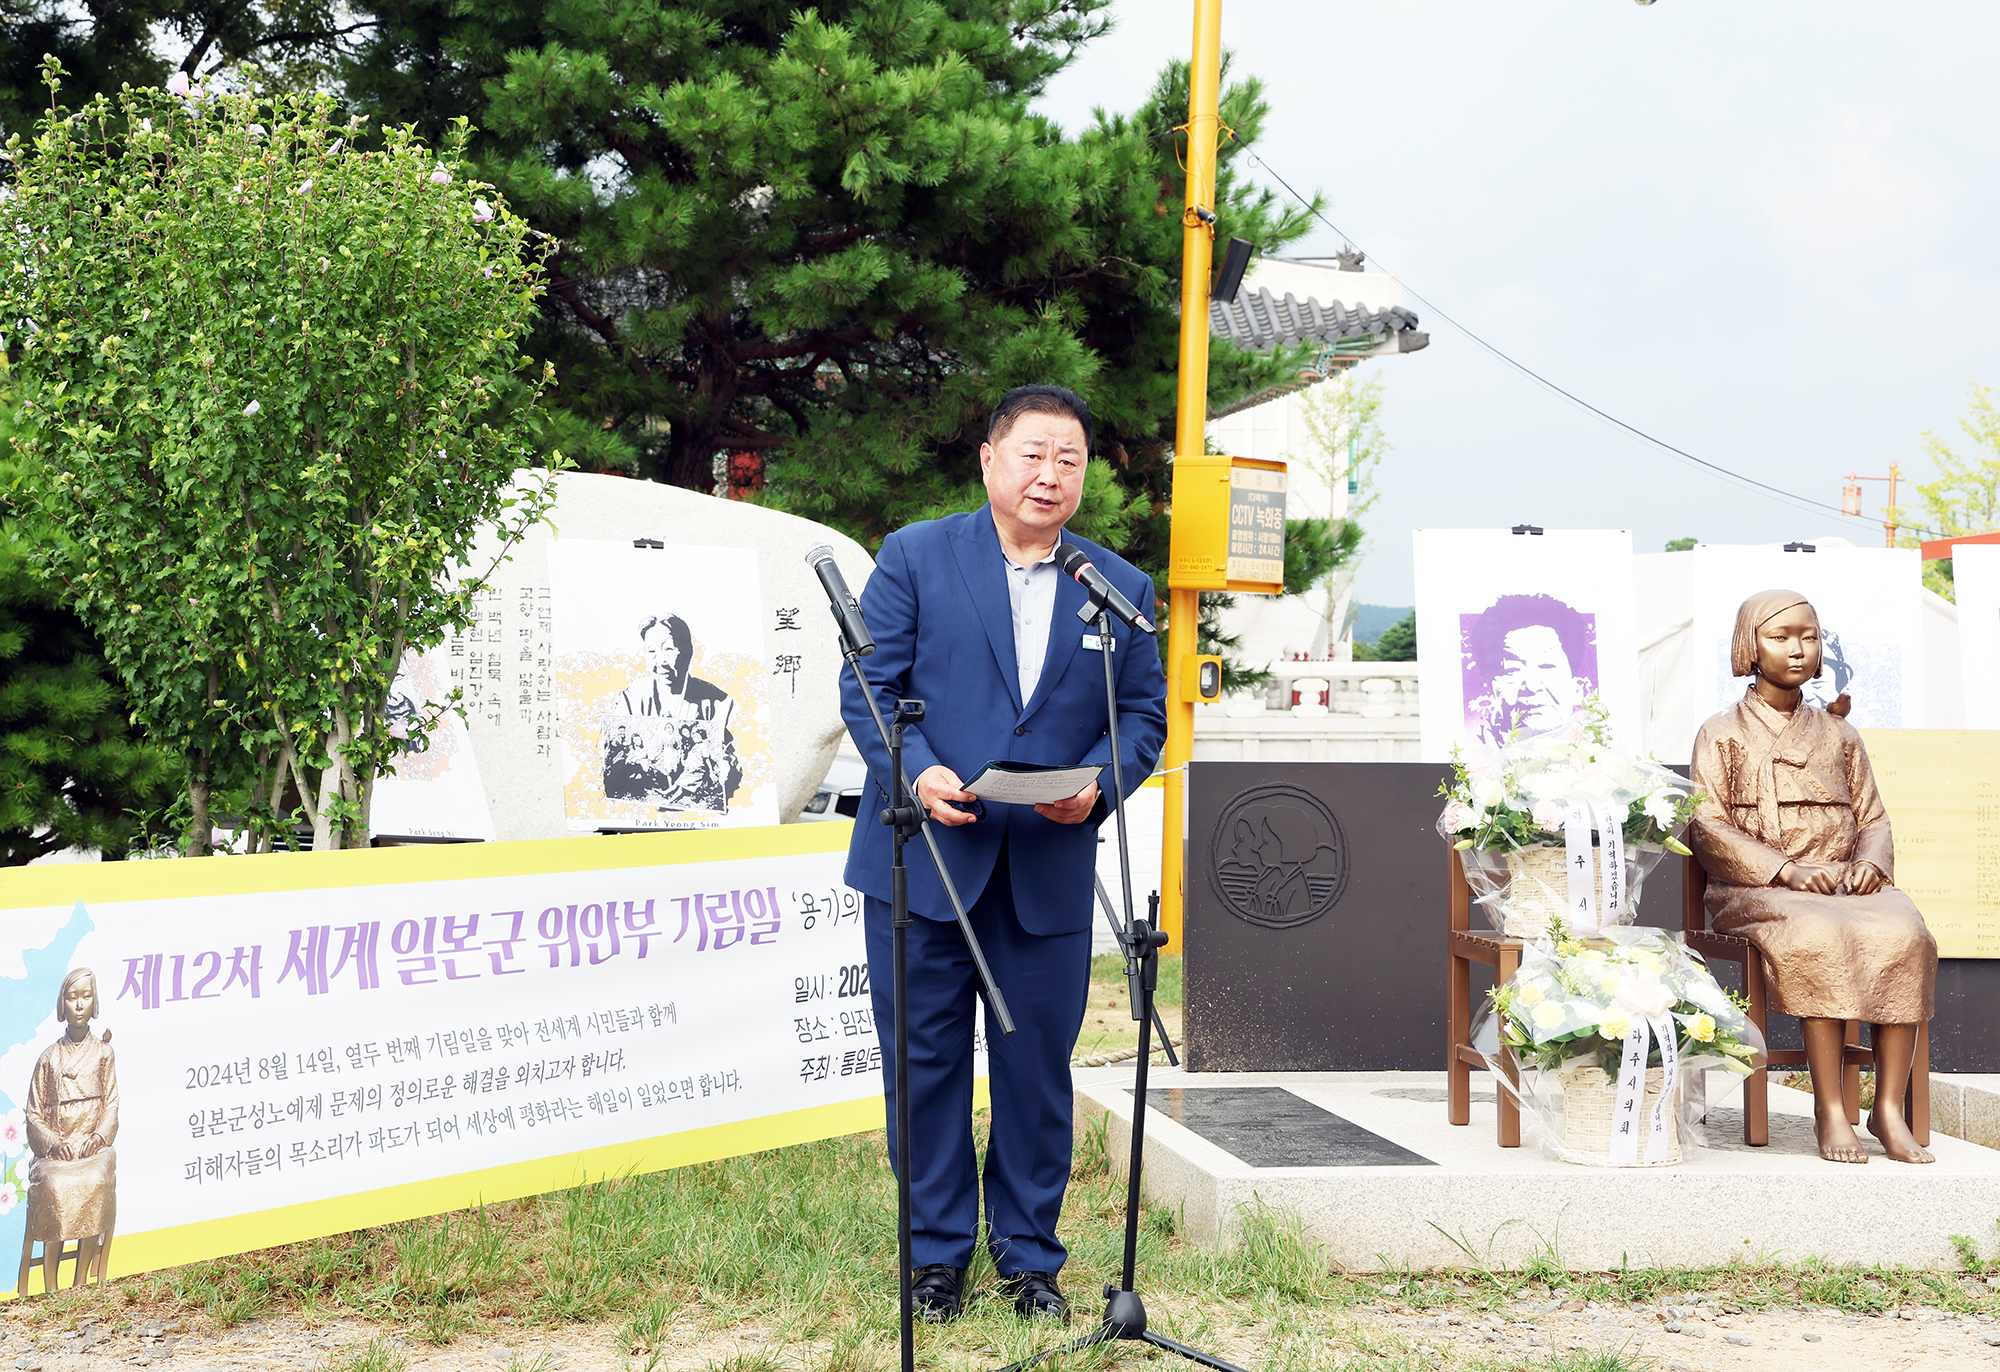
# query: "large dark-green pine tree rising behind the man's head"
831,239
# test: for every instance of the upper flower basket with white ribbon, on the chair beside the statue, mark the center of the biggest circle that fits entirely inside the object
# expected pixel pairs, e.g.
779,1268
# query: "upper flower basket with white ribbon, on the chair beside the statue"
1561,827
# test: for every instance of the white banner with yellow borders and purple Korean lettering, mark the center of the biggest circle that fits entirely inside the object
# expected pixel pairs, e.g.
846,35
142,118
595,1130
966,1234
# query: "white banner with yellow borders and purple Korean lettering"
301,1045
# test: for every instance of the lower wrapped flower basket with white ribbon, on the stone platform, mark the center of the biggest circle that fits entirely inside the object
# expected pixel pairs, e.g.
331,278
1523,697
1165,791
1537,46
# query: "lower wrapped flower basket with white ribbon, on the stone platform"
1625,1023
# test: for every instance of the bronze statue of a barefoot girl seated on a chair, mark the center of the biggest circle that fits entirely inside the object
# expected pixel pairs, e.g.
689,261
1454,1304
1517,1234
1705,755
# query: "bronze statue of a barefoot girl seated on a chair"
1801,861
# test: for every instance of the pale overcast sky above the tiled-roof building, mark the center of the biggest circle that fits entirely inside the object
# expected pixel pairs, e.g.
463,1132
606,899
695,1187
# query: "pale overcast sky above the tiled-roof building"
1765,233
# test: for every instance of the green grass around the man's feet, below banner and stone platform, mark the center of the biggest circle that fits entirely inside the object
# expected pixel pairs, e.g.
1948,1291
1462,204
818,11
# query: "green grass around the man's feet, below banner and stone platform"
799,1247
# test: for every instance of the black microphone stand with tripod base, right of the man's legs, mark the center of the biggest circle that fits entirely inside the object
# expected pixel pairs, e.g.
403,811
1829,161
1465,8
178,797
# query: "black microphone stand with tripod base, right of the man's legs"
1125,1313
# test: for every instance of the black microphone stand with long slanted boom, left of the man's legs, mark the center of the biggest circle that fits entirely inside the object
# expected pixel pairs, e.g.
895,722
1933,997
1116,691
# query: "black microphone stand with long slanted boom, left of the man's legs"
905,817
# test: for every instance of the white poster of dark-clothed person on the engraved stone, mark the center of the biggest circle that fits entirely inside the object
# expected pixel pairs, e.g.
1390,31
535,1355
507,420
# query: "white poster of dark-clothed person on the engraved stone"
663,715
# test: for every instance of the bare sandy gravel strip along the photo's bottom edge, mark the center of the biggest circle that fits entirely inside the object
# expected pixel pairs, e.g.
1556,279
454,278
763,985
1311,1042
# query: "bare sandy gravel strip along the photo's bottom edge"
1667,1337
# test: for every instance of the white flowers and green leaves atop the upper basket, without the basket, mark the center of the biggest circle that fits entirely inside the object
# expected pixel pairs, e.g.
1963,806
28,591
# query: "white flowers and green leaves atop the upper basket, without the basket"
1521,795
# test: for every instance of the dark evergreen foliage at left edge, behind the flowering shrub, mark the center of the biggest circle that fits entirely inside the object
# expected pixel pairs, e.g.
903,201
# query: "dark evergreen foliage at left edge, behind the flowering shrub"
71,771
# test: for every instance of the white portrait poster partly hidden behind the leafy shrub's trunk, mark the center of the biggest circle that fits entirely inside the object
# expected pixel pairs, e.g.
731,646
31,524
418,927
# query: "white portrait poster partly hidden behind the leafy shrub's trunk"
437,789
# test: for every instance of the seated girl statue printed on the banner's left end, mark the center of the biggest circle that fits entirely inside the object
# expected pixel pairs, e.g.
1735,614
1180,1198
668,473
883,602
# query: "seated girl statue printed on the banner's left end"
73,1119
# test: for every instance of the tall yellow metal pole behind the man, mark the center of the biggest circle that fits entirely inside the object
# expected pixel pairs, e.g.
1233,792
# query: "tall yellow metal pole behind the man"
1189,431
